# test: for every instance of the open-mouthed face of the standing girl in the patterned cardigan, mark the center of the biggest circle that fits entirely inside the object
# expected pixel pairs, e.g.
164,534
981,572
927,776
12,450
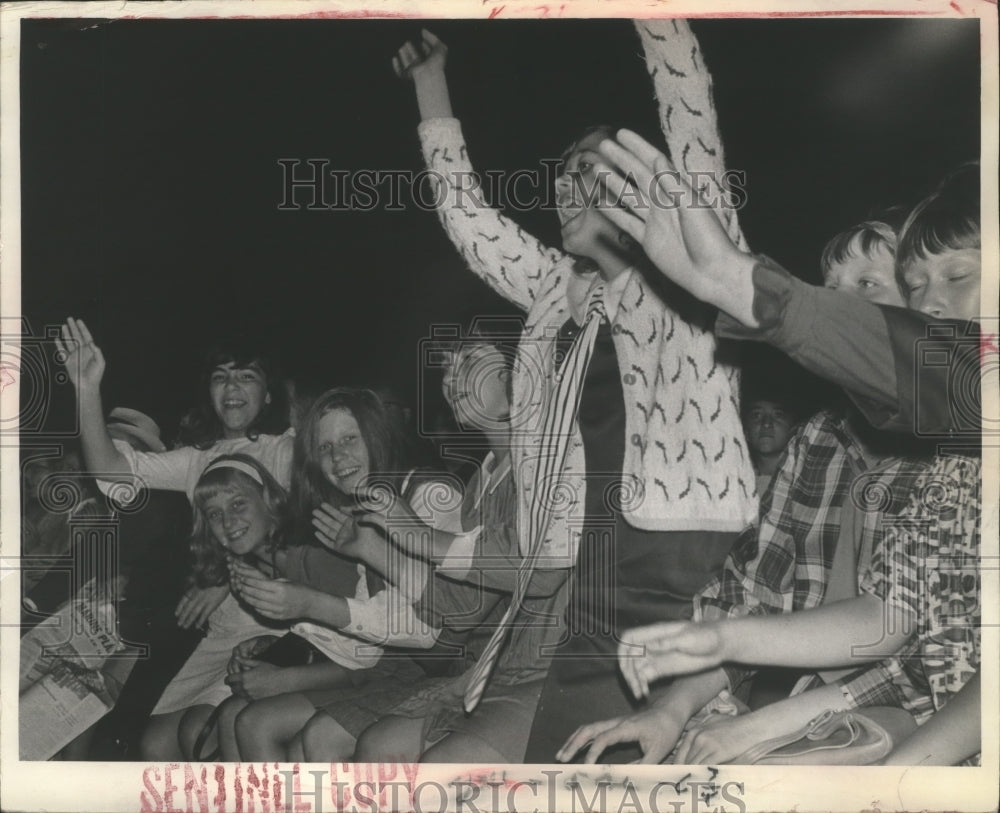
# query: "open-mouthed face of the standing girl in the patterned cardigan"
584,229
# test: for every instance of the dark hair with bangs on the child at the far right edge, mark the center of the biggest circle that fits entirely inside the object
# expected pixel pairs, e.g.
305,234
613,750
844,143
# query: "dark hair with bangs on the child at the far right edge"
947,220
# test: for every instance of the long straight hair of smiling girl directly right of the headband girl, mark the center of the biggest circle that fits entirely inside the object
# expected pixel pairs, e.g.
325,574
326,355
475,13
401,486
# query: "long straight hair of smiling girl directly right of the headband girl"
386,449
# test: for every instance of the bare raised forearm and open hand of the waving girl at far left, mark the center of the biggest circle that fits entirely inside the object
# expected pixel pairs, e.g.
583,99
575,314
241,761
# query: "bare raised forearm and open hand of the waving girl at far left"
84,363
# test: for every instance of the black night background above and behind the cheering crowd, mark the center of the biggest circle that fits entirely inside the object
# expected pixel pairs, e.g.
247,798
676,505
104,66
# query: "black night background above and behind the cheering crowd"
151,182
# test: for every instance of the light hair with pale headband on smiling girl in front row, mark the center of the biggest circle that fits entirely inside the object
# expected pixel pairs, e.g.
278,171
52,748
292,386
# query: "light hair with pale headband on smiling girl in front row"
209,556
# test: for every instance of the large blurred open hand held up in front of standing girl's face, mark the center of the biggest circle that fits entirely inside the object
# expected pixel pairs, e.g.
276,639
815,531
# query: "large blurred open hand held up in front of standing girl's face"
677,226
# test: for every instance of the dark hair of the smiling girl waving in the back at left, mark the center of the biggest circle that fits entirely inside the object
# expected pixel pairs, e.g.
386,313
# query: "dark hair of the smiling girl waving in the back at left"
201,426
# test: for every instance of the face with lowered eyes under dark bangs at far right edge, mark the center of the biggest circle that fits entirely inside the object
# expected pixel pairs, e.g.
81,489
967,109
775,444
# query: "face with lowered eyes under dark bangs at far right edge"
945,285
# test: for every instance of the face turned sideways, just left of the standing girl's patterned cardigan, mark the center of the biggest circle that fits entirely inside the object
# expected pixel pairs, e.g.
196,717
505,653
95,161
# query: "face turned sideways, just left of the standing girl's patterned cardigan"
475,387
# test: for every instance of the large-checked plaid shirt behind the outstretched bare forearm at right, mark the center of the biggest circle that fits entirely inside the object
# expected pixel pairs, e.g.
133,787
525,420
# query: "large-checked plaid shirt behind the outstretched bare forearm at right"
782,562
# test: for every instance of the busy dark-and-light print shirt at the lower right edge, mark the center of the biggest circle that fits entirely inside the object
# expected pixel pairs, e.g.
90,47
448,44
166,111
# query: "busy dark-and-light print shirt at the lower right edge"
926,561
